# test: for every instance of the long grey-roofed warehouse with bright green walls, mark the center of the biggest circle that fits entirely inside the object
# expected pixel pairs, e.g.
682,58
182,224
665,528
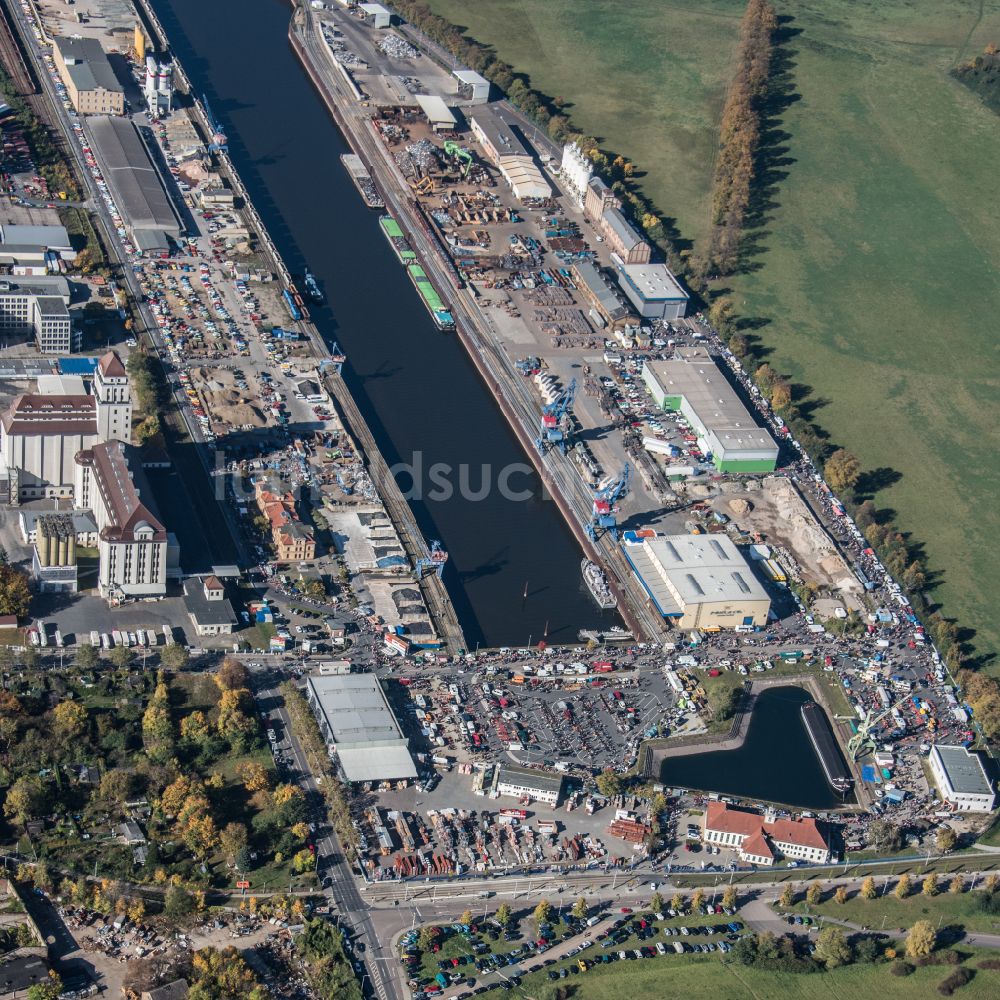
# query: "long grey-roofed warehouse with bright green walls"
694,385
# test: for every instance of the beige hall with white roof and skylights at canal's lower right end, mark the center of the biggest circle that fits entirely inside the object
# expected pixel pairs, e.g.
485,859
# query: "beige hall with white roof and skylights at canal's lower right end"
698,581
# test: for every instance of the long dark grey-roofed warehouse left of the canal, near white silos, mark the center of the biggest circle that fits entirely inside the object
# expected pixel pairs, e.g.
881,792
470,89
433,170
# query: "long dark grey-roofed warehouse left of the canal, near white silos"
135,185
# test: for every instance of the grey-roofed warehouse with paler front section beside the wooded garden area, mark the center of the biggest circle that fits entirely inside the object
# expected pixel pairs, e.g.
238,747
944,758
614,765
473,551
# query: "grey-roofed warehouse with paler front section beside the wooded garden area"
363,735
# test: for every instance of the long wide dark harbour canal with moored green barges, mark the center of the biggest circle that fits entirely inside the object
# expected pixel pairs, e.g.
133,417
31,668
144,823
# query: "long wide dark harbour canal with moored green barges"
418,391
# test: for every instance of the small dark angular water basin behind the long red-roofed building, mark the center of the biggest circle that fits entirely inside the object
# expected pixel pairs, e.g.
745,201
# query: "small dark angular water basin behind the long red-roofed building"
776,762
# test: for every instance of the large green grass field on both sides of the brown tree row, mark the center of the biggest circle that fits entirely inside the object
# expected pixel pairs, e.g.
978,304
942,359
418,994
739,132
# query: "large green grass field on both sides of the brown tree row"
878,279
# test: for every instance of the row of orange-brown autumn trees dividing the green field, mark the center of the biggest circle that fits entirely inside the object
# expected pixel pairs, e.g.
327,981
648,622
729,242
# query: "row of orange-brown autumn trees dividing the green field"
739,136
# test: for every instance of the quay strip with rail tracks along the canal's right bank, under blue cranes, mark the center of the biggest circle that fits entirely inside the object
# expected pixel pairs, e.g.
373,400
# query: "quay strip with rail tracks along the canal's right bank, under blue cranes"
561,478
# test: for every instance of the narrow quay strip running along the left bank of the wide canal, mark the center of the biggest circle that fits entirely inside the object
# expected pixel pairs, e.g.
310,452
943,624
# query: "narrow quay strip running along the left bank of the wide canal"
432,588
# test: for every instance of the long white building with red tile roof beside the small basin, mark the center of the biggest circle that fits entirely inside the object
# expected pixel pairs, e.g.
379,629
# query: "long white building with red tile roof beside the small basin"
761,839
